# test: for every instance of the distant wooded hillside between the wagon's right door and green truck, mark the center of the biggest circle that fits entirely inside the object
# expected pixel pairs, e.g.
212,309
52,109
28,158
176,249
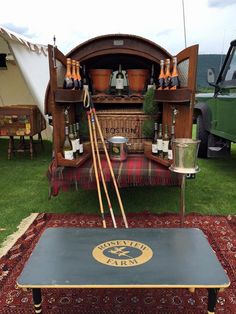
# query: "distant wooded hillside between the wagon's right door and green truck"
205,62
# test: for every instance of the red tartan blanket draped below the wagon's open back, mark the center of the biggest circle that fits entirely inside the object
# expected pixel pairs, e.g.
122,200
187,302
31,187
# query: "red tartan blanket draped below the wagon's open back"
137,170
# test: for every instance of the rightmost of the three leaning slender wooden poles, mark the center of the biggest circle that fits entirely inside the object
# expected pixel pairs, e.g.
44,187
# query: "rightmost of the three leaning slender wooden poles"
110,168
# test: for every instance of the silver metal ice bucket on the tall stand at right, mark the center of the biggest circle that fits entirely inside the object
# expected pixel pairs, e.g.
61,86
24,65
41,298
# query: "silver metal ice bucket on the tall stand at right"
185,151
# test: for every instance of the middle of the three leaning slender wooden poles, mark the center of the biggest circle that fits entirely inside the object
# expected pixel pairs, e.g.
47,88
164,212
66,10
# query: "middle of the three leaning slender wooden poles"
101,171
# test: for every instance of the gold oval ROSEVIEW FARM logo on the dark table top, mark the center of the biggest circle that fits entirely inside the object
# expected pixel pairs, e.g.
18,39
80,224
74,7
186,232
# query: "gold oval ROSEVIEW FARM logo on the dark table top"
122,253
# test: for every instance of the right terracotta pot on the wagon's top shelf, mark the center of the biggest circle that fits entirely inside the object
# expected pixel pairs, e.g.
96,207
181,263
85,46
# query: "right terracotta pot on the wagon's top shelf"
137,80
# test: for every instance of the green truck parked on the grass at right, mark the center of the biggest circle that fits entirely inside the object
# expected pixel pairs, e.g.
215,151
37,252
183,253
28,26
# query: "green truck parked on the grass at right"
215,113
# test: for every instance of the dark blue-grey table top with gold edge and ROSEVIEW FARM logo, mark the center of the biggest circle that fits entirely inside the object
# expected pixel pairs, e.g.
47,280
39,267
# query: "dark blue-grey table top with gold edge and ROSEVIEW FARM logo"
131,258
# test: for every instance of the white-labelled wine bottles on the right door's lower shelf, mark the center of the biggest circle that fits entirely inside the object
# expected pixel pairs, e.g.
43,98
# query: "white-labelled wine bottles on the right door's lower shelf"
162,141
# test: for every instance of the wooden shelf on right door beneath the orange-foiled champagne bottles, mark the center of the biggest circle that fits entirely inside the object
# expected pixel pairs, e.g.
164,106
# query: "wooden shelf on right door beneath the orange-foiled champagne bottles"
182,95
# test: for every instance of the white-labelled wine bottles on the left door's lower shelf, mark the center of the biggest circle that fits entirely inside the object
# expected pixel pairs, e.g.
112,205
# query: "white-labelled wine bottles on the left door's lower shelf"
72,147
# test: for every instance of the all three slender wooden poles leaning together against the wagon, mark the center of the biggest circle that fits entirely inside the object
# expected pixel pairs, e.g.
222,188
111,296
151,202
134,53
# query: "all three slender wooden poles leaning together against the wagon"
92,124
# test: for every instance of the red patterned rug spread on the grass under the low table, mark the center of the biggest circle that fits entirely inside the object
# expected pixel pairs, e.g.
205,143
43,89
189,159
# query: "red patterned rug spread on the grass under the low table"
221,233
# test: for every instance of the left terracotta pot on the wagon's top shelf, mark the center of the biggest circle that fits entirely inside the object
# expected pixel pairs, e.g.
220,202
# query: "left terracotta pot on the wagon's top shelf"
100,80
